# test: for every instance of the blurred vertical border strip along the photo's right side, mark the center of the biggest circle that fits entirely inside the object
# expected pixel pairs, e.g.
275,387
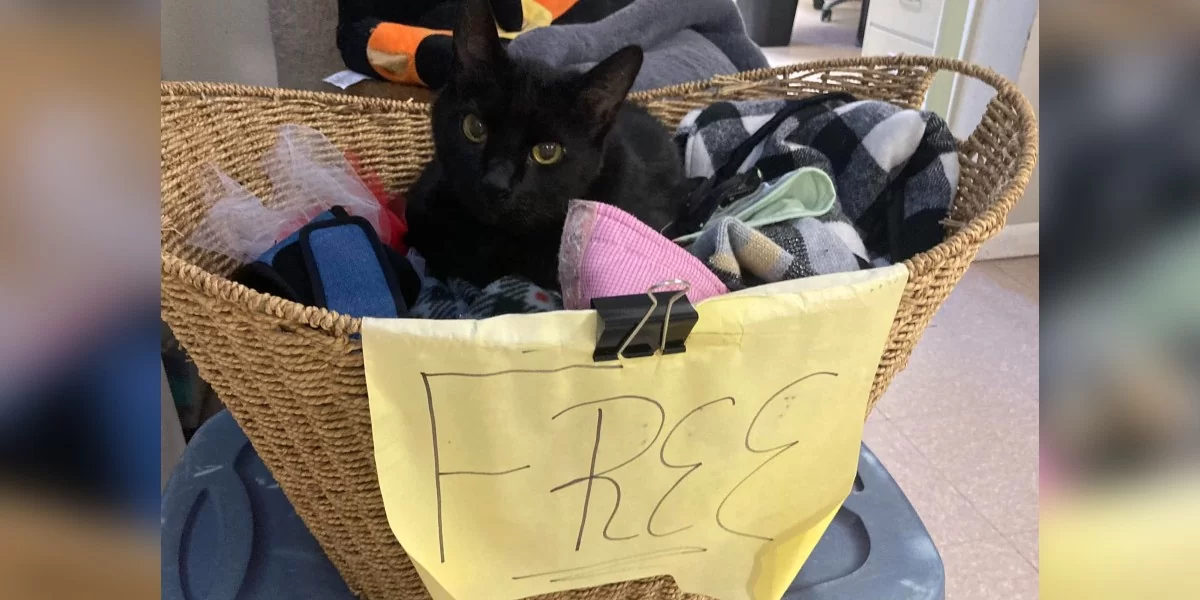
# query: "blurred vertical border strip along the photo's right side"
1121,299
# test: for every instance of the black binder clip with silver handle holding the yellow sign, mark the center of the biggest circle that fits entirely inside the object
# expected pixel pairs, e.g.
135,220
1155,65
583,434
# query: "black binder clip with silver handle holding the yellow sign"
640,326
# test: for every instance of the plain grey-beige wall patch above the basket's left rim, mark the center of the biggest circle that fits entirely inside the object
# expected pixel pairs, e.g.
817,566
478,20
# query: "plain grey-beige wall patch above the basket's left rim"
218,41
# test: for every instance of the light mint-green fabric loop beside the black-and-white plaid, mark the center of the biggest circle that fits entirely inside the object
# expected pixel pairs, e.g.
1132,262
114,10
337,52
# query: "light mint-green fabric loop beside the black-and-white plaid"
806,193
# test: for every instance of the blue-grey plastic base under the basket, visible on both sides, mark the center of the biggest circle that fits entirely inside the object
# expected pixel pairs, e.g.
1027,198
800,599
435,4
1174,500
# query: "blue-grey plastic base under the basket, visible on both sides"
229,533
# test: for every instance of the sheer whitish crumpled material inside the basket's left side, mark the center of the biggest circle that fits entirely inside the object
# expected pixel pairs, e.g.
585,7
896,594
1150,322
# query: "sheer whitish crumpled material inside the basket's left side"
309,176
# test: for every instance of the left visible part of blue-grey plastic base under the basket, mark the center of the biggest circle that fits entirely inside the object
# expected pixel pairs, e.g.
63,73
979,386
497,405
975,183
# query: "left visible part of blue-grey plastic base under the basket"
229,533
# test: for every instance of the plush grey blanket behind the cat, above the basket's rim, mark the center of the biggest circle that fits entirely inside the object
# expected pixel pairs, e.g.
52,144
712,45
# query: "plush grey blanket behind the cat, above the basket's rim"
681,43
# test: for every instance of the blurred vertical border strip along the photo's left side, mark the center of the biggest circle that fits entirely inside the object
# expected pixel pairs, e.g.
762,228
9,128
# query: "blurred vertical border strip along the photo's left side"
80,376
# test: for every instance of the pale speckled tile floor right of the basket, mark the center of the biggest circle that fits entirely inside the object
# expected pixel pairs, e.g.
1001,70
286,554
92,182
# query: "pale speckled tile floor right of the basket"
959,433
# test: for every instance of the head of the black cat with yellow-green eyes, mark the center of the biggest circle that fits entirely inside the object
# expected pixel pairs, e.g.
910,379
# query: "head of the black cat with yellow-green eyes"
519,142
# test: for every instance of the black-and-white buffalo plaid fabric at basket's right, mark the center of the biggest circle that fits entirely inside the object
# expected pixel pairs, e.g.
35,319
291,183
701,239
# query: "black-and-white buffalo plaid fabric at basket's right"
896,170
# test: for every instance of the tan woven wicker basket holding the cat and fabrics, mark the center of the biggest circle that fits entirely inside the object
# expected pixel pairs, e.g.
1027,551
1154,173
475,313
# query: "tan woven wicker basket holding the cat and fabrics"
292,376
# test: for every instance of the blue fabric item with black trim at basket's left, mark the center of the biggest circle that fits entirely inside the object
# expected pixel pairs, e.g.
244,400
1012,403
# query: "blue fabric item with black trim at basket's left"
337,262
